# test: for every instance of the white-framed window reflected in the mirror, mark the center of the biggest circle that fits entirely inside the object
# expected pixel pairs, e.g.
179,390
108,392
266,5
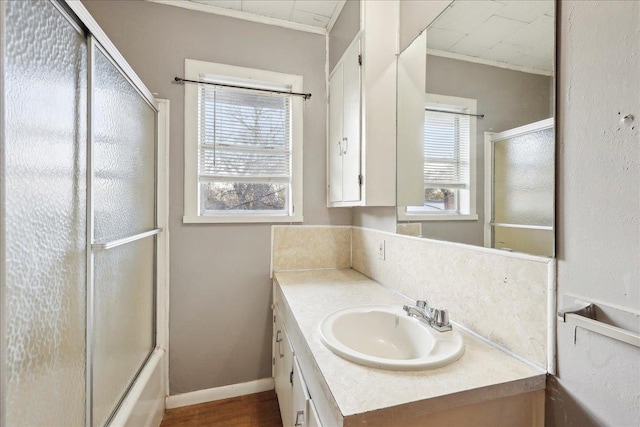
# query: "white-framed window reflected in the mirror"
448,159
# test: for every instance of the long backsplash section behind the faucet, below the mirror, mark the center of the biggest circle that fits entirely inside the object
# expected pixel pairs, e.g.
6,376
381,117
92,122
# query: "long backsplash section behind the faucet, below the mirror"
499,295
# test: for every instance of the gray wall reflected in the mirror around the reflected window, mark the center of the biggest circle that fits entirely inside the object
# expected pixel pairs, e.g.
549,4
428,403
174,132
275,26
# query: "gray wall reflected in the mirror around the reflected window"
508,99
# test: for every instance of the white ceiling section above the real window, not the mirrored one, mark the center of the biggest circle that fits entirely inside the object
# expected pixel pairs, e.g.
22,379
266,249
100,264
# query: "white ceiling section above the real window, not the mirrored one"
298,14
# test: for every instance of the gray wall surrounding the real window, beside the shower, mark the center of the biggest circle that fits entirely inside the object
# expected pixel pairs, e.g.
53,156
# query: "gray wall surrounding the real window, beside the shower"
220,327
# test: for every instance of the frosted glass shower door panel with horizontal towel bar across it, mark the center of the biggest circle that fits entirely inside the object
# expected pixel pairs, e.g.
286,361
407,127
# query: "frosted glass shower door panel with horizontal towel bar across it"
123,187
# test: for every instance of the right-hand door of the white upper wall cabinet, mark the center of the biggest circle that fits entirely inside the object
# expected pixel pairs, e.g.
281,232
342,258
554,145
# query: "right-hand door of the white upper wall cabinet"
351,124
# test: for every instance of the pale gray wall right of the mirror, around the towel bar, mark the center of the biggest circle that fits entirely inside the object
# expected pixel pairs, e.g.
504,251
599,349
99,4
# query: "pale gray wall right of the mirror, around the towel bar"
598,206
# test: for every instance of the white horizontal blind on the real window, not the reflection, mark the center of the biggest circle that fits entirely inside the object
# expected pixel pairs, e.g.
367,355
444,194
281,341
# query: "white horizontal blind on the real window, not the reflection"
243,136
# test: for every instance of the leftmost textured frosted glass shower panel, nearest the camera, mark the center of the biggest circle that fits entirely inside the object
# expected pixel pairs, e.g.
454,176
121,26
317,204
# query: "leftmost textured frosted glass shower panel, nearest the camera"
42,216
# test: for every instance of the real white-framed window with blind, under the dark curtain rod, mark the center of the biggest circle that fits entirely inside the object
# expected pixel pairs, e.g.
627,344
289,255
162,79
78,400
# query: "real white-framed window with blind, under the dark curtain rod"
243,147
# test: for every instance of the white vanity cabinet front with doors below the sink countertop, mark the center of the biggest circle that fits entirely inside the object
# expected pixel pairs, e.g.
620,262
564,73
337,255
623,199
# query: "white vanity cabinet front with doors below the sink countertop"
296,407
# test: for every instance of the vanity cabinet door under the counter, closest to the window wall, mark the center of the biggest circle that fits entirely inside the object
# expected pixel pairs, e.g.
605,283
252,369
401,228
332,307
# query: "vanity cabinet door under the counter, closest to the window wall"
282,368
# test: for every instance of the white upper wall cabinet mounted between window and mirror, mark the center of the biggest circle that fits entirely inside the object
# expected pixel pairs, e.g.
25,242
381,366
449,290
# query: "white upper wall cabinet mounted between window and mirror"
361,149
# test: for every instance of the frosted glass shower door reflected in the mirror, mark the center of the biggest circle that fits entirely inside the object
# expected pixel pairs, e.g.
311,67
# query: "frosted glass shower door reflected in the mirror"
523,189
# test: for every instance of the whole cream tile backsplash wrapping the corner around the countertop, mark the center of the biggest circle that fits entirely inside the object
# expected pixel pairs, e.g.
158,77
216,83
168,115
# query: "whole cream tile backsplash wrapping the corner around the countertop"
507,298
